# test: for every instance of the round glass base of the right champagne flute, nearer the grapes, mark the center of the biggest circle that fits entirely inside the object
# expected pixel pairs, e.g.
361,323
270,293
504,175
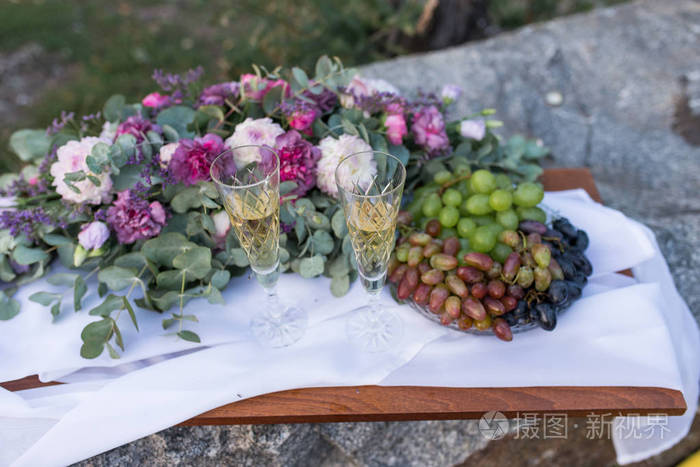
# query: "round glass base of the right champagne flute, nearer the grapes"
374,330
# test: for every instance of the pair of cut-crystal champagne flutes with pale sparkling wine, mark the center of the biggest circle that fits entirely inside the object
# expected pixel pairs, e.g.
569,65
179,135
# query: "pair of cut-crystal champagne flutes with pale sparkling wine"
370,186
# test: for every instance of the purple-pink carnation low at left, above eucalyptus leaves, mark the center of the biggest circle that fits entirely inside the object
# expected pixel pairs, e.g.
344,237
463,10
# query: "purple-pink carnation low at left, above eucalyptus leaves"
133,218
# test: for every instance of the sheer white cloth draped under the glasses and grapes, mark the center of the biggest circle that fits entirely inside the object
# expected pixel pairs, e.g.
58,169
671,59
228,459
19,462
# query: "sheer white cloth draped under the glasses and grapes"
622,332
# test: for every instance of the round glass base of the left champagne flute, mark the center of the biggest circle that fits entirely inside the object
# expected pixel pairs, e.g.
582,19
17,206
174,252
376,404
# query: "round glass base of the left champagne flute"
280,330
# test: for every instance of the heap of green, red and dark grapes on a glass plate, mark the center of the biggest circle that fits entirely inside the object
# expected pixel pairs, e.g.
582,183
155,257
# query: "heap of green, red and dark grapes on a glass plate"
501,266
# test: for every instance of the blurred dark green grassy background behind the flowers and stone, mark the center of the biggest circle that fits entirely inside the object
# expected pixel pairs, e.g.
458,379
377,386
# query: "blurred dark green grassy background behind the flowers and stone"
72,54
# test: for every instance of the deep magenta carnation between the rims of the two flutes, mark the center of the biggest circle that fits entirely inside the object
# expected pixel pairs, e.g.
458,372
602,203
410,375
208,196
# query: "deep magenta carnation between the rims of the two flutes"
298,160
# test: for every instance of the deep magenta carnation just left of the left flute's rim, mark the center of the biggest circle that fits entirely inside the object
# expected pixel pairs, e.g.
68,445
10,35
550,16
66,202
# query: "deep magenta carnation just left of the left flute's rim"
192,159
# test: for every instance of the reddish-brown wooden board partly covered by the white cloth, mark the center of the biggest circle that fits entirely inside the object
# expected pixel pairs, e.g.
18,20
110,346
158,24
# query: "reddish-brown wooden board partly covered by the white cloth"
377,403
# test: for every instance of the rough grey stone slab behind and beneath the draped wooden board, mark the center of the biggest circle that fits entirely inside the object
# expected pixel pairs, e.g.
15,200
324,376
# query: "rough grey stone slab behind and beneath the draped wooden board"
620,73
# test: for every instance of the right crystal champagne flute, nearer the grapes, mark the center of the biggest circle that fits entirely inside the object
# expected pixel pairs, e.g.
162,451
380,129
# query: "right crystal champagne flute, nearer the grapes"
370,185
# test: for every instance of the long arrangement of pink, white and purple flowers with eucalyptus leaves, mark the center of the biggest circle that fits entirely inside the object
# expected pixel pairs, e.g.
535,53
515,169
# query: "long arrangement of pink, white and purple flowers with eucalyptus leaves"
125,194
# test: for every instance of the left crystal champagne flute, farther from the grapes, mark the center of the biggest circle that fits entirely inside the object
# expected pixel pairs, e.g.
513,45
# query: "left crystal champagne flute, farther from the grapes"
247,178
